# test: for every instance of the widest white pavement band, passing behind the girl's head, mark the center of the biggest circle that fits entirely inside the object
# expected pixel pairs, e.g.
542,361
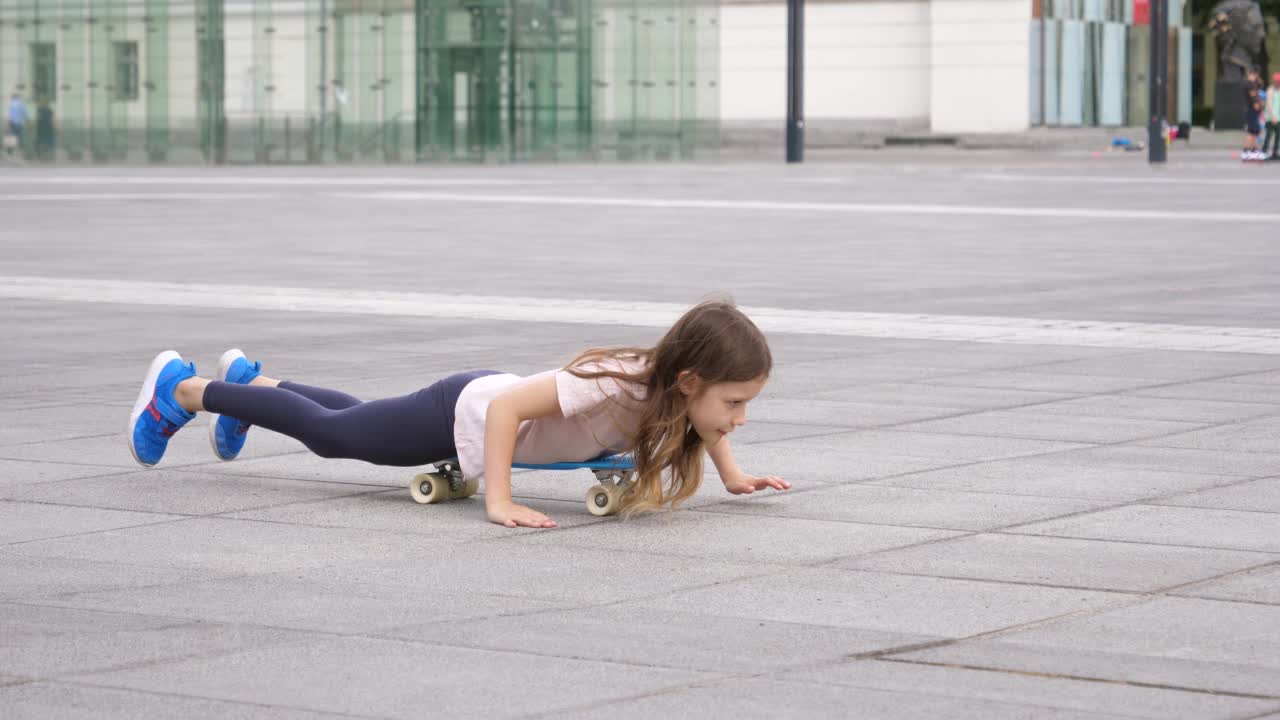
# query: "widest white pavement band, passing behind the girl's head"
959,329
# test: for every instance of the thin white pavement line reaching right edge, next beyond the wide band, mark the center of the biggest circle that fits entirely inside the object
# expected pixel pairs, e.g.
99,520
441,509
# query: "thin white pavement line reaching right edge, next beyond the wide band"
857,208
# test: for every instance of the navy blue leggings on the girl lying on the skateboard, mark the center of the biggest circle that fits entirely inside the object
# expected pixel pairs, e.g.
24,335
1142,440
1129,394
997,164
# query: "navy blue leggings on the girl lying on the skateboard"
412,430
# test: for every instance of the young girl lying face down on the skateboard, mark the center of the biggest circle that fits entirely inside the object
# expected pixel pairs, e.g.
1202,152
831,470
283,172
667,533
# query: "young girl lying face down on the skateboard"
665,405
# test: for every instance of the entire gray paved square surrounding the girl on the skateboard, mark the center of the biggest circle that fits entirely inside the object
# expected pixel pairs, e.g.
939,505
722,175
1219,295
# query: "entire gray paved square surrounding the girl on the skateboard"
1030,404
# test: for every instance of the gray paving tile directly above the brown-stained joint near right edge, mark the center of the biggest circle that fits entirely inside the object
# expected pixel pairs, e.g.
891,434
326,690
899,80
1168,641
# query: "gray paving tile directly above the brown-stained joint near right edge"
1060,562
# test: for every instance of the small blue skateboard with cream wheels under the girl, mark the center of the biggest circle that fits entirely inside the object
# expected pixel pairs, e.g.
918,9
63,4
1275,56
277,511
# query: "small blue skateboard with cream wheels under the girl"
614,473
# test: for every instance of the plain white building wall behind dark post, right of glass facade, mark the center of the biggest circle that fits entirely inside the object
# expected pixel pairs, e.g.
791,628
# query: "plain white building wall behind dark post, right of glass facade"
957,66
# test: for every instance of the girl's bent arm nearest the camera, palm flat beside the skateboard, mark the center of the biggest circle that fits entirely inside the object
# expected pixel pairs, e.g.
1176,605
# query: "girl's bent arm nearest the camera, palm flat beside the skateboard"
538,399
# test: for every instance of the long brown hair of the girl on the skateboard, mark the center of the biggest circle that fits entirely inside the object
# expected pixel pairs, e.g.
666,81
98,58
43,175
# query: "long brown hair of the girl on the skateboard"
715,343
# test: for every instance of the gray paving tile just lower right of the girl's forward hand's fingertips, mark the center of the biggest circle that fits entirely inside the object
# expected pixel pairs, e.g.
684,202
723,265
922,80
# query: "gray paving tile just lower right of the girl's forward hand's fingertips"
908,507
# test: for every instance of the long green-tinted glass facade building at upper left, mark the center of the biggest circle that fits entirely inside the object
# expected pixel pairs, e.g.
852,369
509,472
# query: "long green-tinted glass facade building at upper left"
365,81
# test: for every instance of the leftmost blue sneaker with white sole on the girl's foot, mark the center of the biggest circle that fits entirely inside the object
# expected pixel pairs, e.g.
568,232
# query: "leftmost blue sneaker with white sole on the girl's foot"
157,416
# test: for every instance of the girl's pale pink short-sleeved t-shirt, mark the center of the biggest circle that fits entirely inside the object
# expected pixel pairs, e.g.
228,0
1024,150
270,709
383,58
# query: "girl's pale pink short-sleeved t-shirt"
597,416
